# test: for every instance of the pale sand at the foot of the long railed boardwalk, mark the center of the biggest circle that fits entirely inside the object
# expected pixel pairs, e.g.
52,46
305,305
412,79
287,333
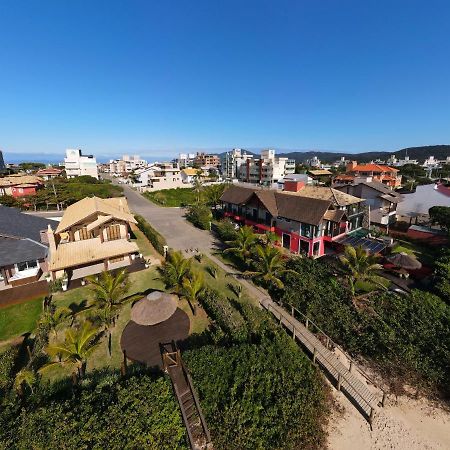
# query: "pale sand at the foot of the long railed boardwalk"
403,424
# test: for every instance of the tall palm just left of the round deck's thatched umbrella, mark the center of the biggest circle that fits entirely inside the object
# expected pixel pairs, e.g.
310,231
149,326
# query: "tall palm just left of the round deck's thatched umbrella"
109,297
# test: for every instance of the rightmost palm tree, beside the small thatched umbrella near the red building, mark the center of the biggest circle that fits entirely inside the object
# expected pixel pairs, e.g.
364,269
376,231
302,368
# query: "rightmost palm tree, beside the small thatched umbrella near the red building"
360,265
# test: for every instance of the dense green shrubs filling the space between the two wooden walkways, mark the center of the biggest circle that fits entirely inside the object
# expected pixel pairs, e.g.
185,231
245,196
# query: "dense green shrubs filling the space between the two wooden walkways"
257,389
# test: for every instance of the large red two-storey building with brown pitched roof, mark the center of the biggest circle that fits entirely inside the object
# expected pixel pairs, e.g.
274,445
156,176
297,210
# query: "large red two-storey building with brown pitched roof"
307,219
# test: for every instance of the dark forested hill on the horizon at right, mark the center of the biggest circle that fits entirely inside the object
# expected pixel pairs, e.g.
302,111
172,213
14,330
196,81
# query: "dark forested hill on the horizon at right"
419,153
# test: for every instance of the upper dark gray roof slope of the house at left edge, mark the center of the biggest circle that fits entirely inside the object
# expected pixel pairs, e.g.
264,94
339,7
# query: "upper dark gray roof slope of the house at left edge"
14,223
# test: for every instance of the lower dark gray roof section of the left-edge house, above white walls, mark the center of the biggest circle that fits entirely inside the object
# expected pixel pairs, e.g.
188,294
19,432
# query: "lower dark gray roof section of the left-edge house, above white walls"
13,251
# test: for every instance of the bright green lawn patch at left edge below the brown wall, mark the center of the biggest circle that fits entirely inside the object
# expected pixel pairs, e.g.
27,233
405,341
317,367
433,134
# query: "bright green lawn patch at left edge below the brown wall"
16,320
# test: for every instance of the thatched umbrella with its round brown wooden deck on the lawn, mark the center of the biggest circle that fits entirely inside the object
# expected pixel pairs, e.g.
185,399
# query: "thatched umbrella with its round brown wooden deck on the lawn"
155,320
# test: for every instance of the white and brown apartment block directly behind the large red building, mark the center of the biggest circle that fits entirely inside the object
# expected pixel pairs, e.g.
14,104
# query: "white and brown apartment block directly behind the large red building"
267,169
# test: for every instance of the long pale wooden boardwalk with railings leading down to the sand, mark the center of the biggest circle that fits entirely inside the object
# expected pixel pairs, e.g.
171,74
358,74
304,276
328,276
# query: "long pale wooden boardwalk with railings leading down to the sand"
365,400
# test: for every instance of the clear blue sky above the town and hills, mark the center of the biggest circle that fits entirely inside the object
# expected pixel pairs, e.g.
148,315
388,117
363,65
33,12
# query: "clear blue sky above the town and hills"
158,77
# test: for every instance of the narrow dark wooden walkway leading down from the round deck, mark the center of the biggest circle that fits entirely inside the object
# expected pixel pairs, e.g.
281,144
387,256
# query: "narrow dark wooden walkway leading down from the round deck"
197,430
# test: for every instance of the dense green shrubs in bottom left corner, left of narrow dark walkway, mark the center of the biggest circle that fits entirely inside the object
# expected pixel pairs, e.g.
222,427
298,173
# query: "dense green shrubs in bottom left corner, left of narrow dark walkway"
106,411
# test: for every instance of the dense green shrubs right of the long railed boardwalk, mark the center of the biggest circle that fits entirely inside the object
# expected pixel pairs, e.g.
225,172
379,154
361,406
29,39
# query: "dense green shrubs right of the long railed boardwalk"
407,336
